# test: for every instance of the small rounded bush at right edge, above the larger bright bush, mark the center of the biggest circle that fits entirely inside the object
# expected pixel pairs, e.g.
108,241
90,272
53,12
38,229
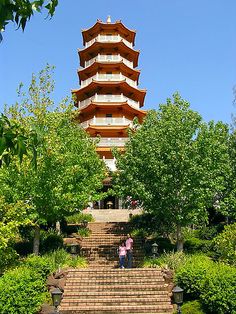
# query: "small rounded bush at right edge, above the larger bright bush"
225,244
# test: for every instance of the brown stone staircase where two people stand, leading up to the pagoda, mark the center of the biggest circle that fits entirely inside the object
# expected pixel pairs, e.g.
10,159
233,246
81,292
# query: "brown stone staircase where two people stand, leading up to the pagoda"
104,288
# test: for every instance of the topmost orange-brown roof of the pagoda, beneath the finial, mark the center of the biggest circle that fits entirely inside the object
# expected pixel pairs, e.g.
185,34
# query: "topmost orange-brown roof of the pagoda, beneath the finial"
100,26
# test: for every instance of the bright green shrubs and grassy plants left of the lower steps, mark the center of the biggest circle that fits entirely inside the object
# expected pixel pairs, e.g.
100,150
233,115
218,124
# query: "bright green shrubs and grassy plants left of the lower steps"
23,289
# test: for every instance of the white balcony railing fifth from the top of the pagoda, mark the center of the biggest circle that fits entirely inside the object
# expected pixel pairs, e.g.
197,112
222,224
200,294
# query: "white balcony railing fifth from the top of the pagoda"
105,121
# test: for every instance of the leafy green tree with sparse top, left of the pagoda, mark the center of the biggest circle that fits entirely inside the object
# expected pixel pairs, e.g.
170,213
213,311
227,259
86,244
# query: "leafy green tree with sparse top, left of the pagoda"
68,171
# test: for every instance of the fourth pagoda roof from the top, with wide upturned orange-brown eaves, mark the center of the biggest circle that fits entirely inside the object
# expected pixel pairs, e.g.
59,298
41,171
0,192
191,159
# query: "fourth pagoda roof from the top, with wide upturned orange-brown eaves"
98,86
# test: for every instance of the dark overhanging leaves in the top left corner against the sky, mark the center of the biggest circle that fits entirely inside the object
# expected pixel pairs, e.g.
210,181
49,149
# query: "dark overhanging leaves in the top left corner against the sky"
20,11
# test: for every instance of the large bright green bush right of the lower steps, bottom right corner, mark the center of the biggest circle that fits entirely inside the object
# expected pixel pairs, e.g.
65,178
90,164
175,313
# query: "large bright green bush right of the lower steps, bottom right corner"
213,283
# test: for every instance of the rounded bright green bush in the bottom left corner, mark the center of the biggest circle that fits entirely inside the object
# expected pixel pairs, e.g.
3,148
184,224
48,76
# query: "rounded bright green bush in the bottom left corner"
22,291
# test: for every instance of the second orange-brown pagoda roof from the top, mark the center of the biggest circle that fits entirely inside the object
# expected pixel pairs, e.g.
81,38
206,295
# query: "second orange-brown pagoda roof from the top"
108,47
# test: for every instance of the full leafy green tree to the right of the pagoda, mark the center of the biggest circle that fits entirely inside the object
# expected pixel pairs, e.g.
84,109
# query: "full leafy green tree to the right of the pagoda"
175,164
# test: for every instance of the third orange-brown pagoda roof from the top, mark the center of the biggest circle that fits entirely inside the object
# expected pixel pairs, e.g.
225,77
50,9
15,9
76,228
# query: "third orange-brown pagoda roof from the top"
85,73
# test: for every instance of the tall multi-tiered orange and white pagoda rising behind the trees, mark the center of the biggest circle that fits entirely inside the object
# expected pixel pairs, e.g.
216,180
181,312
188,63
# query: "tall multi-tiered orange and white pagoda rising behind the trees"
109,98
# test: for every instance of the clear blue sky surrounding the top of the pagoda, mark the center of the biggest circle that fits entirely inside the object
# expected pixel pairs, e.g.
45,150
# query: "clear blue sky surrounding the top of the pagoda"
185,45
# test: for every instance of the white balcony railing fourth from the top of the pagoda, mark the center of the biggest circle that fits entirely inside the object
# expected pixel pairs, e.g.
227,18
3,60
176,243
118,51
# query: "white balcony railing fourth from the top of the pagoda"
109,98
